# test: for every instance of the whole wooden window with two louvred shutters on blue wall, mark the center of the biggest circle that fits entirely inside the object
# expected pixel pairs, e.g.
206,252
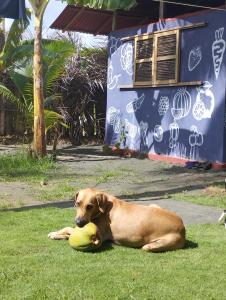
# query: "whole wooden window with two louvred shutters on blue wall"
157,58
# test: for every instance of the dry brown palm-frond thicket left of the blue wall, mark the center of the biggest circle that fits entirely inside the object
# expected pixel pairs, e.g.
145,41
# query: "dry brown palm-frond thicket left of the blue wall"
84,94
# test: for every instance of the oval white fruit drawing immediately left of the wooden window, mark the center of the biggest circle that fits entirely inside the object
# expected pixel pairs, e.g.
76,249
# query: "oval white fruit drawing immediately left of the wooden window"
126,58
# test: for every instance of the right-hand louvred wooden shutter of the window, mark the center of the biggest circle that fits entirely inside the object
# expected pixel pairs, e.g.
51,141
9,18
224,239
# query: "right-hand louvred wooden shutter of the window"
167,57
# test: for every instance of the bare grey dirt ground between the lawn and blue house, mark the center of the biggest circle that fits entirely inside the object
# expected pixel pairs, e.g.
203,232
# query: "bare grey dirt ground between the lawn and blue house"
133,179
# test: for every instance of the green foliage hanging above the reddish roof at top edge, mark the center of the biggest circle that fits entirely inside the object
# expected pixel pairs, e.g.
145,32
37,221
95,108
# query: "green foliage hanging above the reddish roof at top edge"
105,4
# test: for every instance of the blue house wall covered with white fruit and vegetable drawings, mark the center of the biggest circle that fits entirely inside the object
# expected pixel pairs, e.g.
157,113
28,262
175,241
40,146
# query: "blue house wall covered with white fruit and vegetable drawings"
186,122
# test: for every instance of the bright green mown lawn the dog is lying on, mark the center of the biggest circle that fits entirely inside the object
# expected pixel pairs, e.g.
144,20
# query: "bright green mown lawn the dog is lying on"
34,267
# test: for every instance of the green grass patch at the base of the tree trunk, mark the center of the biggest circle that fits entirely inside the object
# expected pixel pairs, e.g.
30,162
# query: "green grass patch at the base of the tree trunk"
20,166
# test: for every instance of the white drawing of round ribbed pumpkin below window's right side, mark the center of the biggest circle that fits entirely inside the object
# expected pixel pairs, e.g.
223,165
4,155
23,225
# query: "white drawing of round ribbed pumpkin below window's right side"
181,104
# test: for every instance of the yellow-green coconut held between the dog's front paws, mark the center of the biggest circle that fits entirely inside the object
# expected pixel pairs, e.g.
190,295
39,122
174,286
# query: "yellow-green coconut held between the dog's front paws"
85,238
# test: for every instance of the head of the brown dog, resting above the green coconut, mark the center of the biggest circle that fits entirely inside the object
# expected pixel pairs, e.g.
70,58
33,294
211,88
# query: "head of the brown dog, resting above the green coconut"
90,204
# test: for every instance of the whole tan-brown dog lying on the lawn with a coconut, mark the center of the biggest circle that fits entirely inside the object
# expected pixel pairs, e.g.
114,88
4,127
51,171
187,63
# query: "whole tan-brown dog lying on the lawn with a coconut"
151,228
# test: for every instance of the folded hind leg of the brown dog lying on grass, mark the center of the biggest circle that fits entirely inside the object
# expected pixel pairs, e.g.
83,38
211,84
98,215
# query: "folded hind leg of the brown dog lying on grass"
165,243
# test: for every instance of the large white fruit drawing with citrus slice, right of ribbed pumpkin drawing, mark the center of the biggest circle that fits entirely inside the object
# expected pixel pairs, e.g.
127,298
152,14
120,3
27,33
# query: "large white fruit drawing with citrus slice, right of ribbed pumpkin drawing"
205,102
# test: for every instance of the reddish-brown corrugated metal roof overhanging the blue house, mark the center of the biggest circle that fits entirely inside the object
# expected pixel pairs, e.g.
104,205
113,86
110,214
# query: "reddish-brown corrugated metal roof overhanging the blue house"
88,20
